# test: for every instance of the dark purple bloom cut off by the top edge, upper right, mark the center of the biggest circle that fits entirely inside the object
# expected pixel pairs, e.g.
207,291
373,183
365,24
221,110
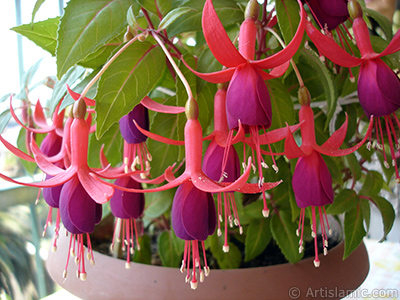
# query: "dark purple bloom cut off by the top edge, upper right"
328,14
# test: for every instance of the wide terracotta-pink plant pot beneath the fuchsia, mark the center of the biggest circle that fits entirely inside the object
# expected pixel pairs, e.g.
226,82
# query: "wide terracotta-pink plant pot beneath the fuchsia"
109,279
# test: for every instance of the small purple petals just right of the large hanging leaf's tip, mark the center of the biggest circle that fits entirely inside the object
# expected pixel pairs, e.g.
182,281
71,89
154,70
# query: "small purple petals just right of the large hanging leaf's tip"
128,129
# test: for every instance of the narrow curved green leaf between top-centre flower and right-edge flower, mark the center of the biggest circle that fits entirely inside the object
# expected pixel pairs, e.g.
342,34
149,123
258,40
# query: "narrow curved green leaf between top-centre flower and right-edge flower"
326,81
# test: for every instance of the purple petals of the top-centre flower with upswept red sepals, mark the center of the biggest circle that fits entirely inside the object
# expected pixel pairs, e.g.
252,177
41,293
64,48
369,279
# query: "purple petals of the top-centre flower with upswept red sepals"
247,99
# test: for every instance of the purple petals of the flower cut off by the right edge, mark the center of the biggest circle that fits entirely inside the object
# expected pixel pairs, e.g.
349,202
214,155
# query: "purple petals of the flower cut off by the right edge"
378,88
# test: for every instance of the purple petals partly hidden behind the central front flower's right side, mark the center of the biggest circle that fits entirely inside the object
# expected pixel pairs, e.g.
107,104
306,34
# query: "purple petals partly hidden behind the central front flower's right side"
212,162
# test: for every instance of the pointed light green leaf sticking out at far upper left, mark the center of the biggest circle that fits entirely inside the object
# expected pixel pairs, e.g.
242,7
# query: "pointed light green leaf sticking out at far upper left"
43,33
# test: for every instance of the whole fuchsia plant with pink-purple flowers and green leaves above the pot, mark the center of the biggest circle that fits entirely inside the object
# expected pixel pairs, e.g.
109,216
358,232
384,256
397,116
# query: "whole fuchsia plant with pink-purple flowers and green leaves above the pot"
221,127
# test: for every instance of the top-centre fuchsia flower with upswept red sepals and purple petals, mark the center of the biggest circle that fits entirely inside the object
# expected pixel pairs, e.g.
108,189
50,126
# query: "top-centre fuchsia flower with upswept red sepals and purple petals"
248,103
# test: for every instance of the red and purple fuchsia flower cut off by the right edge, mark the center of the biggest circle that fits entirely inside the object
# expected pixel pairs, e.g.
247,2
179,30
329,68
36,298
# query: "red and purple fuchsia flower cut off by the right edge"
378,86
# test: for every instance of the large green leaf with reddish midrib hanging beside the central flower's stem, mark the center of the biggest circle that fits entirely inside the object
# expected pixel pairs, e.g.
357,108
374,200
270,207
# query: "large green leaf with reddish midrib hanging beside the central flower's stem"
124,84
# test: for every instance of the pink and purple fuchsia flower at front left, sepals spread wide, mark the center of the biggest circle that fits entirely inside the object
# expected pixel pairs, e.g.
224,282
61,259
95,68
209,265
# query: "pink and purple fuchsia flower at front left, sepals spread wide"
80,186
